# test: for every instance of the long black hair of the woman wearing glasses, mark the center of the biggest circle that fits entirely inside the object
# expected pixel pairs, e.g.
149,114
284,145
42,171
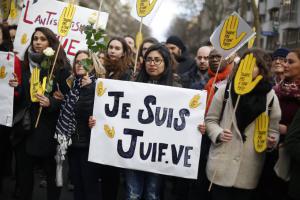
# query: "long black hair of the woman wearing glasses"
167,76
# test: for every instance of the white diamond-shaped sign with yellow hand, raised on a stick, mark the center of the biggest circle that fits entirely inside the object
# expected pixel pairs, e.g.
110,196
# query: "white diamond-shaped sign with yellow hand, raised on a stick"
231,35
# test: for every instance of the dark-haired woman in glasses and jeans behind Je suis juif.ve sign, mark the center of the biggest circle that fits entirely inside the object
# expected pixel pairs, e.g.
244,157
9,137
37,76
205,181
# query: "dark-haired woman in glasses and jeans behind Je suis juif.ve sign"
156,69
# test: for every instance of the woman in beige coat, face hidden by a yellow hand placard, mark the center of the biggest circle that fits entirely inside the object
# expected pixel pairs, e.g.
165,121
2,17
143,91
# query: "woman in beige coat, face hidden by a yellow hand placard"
235,159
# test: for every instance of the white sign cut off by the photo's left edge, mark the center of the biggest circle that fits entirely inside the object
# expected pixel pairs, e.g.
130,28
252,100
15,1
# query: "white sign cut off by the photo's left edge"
6,92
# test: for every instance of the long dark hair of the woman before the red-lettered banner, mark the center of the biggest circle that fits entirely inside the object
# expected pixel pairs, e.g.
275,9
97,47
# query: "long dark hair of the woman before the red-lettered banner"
62,60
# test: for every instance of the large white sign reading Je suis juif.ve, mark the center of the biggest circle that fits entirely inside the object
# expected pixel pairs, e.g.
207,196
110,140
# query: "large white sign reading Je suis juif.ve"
147,127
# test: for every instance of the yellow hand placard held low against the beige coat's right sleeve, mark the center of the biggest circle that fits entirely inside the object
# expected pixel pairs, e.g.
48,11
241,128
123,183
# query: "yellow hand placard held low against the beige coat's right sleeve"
261,132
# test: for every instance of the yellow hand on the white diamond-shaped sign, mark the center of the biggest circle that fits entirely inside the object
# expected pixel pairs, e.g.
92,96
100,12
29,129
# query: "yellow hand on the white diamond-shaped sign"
228,37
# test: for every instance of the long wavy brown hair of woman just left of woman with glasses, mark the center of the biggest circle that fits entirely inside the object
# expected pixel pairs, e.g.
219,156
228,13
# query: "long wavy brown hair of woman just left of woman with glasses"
119,67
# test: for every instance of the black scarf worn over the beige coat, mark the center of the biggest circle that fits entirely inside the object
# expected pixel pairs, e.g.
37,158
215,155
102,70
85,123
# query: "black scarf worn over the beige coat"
251,105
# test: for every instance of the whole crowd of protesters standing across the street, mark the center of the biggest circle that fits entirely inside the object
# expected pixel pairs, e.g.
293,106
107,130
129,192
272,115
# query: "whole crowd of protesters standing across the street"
228,158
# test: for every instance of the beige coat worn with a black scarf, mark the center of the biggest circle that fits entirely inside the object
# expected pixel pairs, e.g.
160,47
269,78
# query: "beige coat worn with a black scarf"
236,164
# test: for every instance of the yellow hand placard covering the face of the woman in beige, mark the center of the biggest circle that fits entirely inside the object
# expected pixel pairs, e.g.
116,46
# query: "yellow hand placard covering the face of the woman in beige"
243,82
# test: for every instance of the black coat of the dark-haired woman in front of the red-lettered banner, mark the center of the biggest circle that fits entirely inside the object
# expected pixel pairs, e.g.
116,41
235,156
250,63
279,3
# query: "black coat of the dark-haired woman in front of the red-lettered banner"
40,141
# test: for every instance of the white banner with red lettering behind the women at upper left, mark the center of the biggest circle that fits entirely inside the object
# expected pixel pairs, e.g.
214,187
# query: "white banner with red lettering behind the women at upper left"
46,13
